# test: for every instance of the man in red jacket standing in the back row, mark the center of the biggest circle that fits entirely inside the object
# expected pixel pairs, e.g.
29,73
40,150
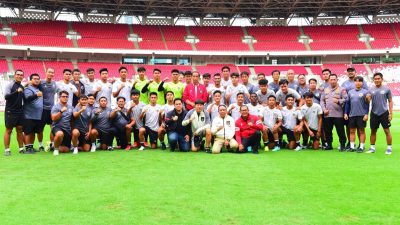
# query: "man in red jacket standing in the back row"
194,91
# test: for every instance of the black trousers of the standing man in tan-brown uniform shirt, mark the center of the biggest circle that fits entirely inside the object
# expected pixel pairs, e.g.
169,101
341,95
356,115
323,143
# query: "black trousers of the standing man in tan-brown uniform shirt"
329,122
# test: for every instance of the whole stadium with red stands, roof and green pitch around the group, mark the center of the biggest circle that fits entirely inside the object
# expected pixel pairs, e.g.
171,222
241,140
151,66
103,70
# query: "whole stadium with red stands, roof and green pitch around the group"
163,187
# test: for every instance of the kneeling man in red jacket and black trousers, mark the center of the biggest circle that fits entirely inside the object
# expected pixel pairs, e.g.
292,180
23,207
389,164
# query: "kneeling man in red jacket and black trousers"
248,131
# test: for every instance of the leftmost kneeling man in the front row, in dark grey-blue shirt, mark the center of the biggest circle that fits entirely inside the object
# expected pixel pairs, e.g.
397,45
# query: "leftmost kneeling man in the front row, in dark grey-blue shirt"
61,114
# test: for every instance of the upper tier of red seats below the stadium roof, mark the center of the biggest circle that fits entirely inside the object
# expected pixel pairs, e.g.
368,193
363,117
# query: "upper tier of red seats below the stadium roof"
206,38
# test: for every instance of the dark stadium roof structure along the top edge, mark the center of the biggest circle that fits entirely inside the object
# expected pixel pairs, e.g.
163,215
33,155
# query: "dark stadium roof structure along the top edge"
215,8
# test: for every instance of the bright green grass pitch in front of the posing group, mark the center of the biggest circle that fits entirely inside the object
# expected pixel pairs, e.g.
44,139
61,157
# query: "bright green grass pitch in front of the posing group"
160,187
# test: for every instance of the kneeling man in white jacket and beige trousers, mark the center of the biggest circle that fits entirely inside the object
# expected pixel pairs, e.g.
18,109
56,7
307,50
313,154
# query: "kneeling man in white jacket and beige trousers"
223,127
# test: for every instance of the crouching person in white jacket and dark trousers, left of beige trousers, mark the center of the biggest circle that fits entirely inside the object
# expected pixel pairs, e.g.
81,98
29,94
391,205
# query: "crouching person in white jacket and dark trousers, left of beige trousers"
200,123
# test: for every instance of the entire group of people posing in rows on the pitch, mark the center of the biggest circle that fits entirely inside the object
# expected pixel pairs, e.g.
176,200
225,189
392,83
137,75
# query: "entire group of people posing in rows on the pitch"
195,114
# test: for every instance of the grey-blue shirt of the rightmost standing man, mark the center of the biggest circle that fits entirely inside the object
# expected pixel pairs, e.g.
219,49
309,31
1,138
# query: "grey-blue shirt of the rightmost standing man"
380,97
